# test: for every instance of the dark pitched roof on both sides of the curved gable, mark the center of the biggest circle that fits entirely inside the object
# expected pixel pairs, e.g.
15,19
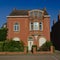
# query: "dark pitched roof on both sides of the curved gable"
23,12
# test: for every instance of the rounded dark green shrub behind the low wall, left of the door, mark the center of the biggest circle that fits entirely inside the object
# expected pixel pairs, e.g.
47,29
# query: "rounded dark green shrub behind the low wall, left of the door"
12,46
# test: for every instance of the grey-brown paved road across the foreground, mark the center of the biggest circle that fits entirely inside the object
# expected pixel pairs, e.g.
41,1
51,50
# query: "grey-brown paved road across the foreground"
55,56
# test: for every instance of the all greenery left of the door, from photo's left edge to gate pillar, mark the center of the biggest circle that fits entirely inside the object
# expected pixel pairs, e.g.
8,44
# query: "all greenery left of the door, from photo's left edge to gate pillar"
11,46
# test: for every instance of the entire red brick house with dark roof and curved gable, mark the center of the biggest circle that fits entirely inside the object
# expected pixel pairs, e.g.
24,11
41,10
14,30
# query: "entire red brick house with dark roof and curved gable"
30,26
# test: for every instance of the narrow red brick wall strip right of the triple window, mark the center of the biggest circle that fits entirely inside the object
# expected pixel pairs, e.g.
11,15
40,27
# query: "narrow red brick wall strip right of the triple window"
47,28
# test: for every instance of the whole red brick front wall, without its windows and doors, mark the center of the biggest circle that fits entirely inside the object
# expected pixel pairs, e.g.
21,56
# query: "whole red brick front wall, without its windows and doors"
24,32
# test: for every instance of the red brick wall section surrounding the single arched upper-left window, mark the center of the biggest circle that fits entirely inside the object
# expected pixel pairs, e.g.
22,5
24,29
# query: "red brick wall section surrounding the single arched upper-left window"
23,33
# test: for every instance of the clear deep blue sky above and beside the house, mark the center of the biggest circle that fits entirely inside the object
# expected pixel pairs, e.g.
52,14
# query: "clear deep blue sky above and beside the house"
6,6
